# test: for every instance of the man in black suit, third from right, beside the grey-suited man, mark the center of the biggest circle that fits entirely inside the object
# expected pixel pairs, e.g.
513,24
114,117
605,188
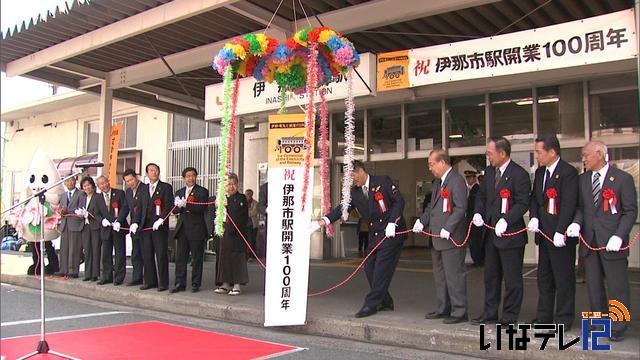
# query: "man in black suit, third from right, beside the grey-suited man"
502,200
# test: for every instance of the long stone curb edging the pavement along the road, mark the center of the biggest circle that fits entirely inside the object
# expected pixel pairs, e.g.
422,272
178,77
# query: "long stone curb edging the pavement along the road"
463,341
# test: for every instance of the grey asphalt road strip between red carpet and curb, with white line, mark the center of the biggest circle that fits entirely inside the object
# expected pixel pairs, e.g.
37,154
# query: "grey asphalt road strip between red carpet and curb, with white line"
20,316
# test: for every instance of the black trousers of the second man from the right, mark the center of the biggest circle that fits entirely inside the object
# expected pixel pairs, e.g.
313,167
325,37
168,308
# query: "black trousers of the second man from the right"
556,284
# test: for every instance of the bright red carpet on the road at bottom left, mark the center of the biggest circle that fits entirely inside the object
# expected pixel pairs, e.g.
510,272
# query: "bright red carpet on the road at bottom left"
146,340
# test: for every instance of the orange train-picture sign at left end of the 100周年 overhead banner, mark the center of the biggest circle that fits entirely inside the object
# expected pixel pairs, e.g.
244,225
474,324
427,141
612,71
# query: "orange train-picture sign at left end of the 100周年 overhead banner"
393,70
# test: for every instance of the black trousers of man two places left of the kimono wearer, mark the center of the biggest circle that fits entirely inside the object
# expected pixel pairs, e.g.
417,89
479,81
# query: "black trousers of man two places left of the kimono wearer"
155,251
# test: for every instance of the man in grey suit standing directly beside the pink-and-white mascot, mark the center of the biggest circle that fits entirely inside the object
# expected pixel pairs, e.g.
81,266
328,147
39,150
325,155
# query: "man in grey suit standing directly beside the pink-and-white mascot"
71,231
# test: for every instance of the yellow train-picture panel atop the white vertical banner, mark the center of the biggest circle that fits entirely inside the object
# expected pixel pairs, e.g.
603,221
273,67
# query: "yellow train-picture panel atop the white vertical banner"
287,140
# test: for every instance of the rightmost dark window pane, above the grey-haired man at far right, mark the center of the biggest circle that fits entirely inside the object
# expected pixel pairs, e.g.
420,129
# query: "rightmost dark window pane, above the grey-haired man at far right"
614,112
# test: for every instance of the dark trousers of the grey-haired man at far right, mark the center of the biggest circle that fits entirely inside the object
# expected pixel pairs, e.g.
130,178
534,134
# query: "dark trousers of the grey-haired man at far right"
615,272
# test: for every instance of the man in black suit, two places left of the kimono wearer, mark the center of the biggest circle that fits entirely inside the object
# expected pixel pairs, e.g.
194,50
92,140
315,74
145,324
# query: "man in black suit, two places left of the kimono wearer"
155,243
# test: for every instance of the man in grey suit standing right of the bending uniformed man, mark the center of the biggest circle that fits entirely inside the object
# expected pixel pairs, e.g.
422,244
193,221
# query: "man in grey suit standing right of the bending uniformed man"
446,216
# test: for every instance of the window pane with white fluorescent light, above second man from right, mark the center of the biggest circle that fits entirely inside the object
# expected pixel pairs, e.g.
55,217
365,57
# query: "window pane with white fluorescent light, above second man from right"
561,111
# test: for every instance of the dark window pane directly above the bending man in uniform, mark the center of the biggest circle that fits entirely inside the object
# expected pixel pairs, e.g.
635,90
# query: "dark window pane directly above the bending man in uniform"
386,133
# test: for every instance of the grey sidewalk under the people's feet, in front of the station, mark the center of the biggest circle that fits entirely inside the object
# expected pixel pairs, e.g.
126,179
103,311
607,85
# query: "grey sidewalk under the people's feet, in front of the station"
331,315
